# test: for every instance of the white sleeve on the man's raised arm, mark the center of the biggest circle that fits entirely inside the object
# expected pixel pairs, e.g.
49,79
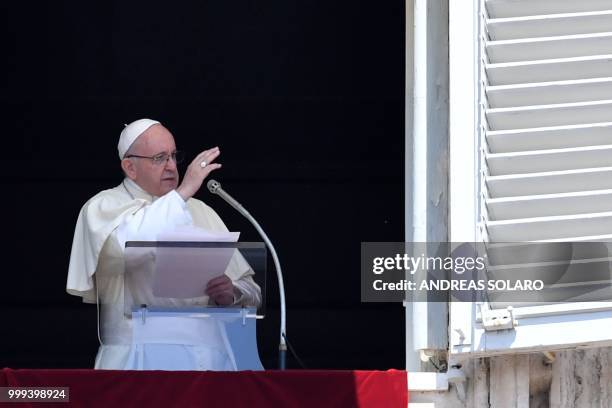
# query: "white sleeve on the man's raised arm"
165,213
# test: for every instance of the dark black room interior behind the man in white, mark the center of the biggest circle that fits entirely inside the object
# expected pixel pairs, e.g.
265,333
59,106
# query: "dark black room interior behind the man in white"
306,101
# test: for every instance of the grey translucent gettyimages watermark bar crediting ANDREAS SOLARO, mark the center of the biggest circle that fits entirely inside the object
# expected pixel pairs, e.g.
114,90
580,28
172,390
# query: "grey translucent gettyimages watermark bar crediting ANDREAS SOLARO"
501,272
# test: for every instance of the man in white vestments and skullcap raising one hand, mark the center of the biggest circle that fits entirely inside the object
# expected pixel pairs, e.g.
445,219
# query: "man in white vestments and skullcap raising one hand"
128,212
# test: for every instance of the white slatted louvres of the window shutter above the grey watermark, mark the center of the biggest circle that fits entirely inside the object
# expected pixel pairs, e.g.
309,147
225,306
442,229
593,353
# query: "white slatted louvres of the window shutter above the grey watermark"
547,101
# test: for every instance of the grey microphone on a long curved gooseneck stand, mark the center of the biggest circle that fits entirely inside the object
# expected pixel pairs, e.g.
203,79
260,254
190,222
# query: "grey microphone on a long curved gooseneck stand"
215,187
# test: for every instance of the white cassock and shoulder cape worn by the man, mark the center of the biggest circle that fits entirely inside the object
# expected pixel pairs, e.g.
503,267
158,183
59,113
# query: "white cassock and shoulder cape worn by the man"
97,268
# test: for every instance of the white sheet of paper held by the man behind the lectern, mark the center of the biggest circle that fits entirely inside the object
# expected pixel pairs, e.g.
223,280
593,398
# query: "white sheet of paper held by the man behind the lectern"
184,272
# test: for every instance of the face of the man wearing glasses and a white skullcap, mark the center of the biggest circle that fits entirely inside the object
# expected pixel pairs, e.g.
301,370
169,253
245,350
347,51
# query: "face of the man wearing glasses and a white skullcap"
155,179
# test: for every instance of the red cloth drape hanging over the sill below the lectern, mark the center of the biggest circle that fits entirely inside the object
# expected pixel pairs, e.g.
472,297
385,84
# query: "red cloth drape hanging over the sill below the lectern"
252,389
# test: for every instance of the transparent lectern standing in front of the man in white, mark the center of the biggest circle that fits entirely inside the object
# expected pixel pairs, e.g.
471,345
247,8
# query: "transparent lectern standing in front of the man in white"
164,321
